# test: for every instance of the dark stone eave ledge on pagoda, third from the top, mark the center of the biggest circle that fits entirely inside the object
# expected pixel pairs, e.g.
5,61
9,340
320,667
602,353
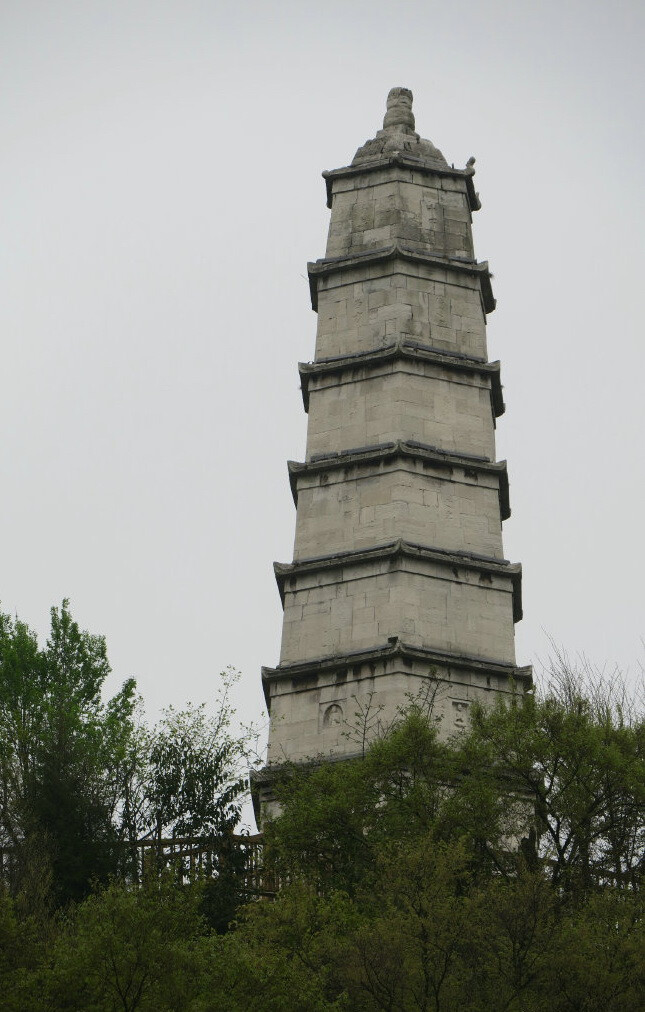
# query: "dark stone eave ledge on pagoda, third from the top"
410,352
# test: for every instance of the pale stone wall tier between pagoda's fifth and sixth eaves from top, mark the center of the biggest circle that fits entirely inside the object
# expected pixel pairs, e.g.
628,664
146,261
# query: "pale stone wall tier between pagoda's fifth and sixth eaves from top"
430,604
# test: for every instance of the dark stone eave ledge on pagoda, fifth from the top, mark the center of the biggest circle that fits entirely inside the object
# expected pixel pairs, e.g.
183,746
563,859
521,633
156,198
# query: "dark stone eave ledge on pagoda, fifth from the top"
406,550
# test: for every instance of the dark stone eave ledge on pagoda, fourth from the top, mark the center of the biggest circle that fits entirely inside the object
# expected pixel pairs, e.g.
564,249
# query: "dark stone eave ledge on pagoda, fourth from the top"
374,456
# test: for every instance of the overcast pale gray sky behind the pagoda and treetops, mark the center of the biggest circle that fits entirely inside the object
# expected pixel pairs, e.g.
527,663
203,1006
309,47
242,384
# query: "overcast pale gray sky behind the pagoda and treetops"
160,196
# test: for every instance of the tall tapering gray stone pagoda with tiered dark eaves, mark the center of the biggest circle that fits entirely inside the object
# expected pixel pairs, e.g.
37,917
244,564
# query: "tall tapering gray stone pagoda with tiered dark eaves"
398,579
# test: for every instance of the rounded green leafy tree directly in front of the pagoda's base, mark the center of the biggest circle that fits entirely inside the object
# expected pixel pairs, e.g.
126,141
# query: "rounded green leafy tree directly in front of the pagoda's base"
338,816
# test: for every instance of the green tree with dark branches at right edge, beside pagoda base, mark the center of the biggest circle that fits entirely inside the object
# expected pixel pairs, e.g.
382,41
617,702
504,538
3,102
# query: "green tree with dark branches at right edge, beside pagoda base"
580,768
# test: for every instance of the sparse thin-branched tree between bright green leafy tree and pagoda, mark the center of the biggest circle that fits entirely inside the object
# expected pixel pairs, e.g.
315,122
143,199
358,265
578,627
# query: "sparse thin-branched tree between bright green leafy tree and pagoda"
188,779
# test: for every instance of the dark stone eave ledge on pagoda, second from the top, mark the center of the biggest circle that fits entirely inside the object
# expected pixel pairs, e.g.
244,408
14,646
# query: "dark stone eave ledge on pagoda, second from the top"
325,268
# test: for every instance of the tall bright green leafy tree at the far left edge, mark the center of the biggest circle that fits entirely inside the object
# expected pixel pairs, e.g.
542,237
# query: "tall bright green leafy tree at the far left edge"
61,749
